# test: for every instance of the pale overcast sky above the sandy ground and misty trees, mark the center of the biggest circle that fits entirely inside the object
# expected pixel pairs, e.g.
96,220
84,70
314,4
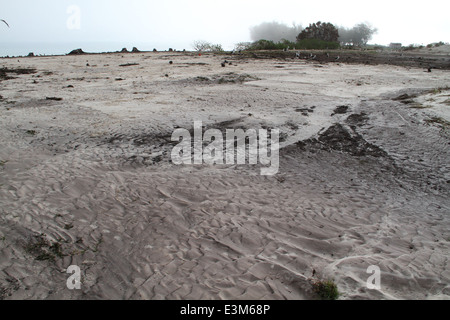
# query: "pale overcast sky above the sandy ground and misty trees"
179,22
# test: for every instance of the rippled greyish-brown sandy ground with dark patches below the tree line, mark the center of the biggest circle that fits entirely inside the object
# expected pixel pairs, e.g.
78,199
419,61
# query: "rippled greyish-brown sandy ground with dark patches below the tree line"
86,177
